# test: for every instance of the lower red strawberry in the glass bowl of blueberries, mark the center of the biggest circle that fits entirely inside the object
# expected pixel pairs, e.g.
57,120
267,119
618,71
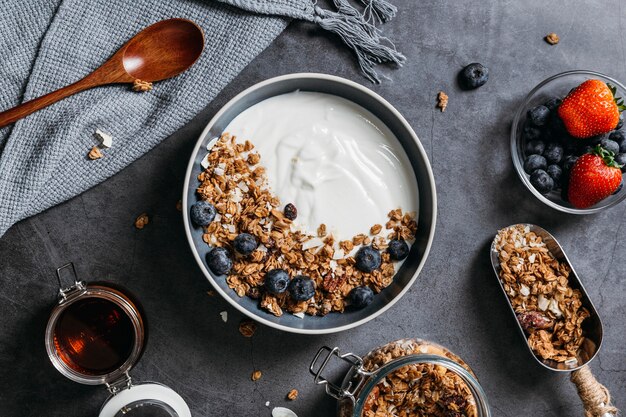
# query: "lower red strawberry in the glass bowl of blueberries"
594,177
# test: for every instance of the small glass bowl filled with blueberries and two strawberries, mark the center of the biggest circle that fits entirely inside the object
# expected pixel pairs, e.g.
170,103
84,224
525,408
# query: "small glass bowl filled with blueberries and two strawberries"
568,144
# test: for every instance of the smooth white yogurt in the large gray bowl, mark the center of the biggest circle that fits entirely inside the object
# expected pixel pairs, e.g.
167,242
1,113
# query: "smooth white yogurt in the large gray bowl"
333,159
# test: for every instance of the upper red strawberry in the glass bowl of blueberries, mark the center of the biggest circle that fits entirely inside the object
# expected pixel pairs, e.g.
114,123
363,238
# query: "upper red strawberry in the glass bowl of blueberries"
591,109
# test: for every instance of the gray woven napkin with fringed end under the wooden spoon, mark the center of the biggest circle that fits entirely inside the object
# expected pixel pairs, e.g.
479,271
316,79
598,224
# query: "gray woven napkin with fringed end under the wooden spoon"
47,44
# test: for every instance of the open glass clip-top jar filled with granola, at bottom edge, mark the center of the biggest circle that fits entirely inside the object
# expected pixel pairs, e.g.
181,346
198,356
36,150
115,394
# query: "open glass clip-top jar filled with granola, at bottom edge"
405,378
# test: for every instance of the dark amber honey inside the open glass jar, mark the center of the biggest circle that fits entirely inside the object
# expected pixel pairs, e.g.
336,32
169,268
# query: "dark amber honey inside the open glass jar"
94,336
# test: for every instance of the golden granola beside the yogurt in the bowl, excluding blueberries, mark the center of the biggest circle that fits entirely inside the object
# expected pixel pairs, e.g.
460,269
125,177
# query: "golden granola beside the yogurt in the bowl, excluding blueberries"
236,184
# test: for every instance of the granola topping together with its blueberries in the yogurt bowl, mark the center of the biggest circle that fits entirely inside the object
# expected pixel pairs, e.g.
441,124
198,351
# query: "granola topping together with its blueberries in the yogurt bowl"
266,256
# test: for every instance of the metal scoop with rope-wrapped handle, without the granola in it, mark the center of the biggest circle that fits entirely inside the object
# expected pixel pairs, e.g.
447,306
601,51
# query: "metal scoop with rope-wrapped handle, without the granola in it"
581,376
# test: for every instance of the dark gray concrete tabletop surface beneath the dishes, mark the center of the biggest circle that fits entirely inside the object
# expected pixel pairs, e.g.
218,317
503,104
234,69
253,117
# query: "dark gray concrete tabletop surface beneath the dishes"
456,300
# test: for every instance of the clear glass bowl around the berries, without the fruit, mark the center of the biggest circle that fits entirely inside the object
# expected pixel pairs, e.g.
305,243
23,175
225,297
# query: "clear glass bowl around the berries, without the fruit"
557,86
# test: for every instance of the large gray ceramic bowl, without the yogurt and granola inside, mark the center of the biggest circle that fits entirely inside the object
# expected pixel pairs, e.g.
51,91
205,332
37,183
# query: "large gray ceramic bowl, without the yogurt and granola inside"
366,98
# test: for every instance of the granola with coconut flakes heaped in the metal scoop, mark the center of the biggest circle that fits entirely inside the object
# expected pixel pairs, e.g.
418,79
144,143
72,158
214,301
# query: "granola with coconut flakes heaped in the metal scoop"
549,310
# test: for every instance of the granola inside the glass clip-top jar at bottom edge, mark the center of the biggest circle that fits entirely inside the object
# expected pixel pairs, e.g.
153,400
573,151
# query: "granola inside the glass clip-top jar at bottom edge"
418,389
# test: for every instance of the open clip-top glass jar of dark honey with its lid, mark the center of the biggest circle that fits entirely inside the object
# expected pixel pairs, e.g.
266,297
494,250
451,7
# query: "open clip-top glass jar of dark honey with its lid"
95,335
